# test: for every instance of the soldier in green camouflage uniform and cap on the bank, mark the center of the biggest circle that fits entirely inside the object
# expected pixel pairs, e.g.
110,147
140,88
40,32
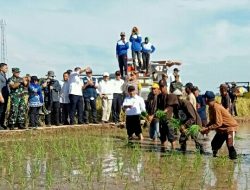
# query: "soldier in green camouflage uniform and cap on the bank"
17,100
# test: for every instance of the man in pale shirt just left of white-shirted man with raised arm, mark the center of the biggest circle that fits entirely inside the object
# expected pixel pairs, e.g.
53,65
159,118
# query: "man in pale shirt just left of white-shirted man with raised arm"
64,99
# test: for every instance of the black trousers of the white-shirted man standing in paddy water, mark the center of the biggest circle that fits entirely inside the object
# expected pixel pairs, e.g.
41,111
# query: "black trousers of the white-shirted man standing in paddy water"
133,125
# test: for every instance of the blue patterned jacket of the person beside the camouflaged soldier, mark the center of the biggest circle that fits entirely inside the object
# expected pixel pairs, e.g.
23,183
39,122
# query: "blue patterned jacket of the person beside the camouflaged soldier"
35,95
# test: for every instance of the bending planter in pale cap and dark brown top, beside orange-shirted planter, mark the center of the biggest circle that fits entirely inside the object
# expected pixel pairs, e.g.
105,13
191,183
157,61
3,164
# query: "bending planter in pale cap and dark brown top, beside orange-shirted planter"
188,117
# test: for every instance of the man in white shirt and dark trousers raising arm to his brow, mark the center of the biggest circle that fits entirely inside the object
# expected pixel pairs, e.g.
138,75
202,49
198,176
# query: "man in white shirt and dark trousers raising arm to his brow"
75,95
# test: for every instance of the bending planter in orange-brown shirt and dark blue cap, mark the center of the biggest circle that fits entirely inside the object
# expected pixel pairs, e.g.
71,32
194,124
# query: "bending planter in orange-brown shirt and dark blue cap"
223,123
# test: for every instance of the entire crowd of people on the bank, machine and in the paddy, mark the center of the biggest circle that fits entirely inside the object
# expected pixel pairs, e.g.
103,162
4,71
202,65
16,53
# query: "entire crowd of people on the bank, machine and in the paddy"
73,101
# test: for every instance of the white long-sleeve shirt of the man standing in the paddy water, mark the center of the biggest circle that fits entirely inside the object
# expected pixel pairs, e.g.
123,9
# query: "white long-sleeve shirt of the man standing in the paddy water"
137,103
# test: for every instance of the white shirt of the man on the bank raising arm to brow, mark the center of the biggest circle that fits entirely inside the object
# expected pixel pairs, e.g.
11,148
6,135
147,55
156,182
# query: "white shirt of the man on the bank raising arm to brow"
75,84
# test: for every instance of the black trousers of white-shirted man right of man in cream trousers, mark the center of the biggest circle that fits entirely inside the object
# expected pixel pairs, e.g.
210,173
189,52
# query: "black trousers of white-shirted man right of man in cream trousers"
116,107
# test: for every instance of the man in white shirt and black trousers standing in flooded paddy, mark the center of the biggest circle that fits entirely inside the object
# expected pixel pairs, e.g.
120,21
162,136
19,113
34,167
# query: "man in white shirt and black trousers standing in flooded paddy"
133,106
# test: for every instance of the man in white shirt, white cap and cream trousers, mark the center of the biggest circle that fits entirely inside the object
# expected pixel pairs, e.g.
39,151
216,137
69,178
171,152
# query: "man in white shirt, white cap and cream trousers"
106,94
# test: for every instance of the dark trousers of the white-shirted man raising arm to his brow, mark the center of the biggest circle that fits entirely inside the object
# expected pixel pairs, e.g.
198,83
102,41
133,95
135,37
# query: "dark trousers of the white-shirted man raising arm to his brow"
76,104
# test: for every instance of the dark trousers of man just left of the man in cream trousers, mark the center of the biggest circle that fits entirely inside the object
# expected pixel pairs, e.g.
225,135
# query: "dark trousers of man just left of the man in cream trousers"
90,105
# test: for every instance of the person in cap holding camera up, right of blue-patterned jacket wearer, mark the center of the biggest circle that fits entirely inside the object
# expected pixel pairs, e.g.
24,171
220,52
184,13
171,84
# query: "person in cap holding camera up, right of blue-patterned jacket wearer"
52,88
